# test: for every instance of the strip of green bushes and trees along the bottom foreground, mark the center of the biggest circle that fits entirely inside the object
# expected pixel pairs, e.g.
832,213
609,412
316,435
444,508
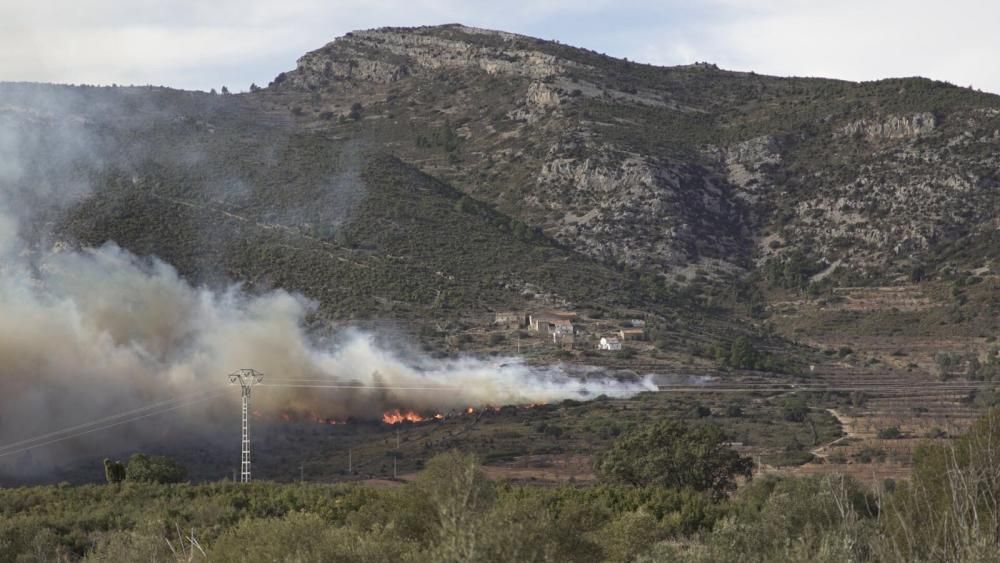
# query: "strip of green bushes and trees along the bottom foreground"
644,509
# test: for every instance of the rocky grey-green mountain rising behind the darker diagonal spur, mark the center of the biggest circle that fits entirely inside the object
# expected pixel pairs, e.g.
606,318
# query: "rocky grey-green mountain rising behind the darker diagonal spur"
669,168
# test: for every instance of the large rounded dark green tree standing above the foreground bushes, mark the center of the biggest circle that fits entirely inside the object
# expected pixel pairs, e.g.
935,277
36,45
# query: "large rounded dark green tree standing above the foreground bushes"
672,454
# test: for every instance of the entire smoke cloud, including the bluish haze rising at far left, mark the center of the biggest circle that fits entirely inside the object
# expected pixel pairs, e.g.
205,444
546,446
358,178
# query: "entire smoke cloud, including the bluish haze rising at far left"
93,332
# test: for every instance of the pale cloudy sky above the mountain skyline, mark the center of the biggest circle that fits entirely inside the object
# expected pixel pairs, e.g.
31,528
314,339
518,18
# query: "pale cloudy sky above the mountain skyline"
204,44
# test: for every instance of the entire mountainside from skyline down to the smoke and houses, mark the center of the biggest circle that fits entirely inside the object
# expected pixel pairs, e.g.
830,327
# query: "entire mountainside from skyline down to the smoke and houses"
443,171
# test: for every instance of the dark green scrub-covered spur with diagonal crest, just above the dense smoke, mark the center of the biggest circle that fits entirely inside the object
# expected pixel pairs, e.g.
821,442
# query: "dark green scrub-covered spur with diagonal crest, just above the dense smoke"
411,247
